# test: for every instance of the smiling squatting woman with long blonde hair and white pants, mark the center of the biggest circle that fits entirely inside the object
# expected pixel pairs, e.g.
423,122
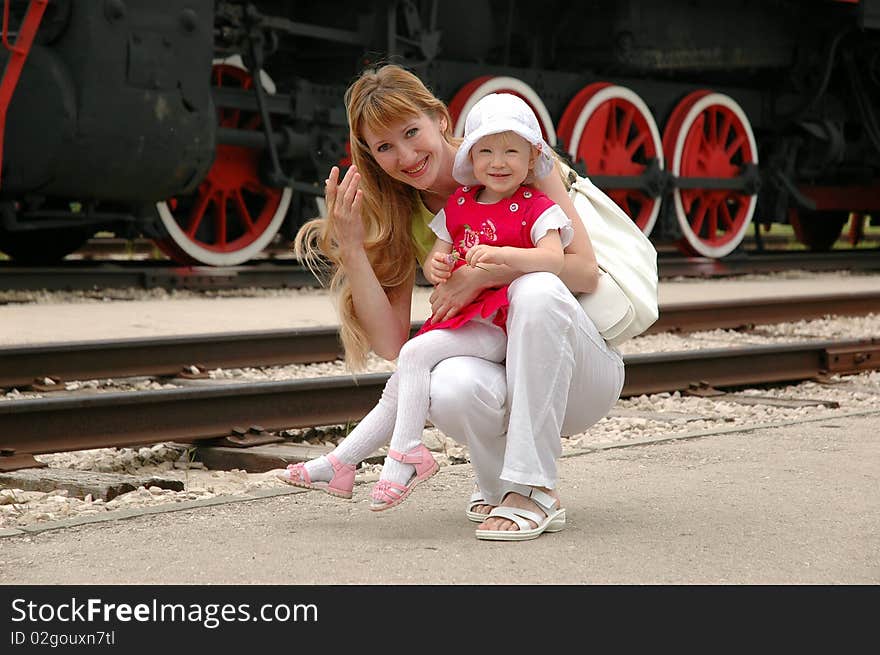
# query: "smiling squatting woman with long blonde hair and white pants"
560,376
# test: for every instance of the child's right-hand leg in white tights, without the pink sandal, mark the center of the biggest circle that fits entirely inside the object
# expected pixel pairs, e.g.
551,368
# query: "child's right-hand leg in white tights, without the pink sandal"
417,358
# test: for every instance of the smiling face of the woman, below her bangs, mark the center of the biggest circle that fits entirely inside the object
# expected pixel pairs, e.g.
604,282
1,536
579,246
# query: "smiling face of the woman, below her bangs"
412,150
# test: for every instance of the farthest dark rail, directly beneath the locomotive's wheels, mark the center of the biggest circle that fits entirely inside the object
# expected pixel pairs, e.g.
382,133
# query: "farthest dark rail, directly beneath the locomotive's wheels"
288,273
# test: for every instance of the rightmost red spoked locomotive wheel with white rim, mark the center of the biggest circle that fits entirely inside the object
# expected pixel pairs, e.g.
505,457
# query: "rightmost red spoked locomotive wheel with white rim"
709,135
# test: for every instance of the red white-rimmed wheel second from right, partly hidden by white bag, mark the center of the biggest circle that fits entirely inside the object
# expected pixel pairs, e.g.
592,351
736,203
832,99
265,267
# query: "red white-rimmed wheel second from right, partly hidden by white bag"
611,130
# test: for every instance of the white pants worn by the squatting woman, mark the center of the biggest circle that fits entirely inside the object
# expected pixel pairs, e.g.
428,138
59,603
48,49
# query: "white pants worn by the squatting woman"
560,377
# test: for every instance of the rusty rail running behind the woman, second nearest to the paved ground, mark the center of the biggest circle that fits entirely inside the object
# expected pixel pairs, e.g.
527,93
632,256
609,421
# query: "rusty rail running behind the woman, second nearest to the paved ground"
85,360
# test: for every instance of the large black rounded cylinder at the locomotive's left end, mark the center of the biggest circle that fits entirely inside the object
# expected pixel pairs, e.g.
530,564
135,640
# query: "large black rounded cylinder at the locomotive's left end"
115,107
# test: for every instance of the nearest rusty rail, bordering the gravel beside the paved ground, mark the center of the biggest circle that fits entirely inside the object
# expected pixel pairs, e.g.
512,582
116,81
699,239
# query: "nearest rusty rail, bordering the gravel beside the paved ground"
45,425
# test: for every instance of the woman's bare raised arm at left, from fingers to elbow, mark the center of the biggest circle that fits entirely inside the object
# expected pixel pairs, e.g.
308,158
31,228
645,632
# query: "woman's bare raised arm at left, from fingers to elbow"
385,317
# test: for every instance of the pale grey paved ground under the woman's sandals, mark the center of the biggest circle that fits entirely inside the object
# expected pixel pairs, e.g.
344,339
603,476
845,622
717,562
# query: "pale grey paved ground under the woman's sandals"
795,504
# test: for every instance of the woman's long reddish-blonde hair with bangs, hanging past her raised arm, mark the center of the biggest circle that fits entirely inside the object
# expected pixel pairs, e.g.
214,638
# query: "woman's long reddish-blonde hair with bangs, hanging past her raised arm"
378,99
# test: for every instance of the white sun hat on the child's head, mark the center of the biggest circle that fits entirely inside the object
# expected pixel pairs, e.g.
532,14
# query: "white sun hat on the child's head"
493,114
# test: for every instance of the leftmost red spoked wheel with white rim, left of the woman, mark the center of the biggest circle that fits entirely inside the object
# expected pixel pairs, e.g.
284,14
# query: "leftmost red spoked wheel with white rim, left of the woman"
232,216
